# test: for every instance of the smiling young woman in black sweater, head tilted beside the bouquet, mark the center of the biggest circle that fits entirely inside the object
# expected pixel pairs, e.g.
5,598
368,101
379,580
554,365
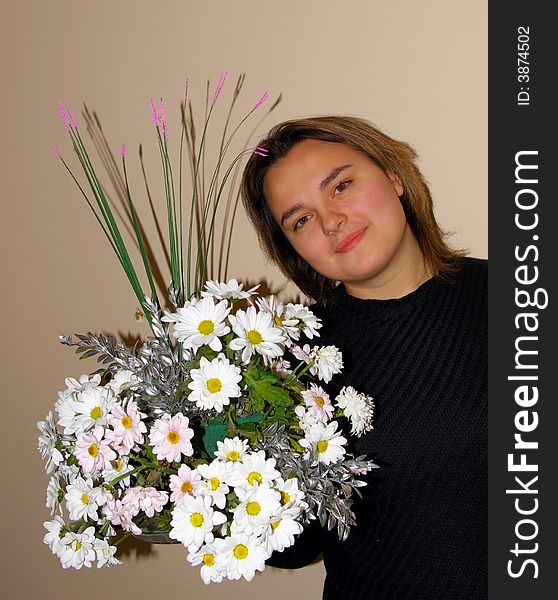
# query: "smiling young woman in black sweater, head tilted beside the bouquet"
344,212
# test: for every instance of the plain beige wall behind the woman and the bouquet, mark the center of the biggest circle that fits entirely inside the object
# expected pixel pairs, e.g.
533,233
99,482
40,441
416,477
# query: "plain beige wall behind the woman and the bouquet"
417,69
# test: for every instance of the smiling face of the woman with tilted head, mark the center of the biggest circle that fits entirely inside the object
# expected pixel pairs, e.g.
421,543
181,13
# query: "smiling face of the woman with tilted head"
342,214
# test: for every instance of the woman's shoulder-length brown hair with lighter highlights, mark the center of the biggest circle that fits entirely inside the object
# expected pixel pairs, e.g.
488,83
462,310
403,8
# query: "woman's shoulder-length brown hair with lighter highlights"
392,156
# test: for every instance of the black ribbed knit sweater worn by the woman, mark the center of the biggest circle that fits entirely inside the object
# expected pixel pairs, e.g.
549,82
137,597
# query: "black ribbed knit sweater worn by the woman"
422,525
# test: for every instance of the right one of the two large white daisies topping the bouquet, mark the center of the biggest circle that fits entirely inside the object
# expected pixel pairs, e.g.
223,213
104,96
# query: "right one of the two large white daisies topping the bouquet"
256,334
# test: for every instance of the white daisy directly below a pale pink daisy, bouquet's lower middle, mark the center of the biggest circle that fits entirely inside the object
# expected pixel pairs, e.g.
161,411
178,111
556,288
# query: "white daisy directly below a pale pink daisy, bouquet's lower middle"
193,521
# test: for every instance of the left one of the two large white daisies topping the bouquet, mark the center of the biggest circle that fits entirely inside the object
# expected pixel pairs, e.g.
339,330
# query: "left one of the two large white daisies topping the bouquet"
200,323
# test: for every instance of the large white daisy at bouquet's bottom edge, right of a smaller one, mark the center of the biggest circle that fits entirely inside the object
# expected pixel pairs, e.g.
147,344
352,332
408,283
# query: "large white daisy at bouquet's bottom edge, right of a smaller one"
241,555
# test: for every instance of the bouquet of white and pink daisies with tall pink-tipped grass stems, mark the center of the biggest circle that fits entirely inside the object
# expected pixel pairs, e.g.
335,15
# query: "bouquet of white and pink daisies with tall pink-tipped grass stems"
215,432
